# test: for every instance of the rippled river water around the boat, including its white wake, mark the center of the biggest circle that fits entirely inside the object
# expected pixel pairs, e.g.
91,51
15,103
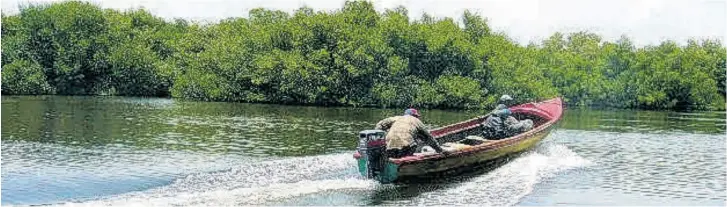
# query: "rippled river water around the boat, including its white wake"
111,151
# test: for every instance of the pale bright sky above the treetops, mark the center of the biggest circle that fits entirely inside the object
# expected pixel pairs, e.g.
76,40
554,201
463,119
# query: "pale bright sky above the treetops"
646,22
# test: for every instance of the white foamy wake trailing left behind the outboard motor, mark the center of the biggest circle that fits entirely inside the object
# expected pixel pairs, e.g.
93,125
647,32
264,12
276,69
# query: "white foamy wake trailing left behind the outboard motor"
252,184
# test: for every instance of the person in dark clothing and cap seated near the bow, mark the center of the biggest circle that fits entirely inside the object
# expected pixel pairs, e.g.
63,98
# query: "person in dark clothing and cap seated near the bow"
500,124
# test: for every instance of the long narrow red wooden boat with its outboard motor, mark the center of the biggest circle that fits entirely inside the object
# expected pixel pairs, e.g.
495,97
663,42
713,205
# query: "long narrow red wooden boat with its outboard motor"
467,149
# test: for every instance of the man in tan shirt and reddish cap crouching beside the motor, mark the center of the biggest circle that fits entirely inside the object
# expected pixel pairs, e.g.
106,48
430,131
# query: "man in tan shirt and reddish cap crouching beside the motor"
401,132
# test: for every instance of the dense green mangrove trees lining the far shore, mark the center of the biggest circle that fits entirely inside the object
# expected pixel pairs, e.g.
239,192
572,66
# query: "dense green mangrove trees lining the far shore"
354,56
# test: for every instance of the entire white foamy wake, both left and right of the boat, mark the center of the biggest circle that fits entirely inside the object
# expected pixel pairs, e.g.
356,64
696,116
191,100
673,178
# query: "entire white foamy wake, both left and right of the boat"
272,182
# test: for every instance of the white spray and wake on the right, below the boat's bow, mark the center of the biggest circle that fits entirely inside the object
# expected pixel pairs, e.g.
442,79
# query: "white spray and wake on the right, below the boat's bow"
506,185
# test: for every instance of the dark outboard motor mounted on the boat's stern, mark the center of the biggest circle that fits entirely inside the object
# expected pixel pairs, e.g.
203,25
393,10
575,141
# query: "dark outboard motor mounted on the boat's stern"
372,147
